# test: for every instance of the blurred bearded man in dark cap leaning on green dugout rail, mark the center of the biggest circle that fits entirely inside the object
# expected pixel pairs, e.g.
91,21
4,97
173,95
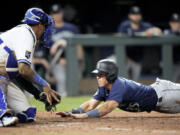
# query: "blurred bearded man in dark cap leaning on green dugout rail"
135,26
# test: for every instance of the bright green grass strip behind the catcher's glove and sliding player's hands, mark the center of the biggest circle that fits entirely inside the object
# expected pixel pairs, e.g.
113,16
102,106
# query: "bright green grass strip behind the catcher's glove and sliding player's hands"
67,103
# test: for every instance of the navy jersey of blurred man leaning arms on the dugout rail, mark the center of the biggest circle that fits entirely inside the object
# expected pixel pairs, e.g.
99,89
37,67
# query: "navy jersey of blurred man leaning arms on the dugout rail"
125,27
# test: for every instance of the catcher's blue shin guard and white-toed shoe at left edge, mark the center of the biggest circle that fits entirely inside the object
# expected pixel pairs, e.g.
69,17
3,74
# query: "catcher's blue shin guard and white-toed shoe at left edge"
6,115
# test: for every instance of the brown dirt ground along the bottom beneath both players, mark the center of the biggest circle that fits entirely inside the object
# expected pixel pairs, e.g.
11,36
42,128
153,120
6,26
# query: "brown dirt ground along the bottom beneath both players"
116,123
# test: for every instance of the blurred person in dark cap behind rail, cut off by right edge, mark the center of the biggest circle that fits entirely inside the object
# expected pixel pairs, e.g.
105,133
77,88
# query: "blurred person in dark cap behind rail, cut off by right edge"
174,29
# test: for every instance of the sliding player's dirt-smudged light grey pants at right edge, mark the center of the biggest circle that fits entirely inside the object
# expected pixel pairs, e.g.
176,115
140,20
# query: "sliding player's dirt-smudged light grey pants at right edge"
169,96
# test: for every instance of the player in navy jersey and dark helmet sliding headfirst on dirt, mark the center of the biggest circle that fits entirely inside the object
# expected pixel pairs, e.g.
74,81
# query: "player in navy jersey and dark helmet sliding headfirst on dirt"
161,96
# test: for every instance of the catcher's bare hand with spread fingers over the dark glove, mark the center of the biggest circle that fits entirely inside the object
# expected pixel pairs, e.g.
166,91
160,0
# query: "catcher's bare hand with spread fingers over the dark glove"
51,95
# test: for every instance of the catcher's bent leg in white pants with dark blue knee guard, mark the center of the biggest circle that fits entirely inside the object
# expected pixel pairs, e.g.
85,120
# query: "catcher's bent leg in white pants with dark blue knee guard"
18,102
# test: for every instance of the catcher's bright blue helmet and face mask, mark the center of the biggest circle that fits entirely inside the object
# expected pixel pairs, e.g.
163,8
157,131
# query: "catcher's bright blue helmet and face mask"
36,16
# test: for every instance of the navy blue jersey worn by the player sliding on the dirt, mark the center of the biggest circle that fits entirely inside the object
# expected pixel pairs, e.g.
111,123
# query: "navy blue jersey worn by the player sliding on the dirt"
131,96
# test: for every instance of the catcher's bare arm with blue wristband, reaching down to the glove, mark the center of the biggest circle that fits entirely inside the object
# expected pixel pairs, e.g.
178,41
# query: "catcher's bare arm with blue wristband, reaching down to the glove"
26,71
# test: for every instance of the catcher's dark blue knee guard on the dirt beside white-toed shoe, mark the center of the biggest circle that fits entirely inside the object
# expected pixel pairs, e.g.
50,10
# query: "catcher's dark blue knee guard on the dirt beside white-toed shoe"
27,116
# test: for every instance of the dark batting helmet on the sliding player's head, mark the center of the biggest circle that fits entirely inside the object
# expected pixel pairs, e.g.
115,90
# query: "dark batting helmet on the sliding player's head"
108,67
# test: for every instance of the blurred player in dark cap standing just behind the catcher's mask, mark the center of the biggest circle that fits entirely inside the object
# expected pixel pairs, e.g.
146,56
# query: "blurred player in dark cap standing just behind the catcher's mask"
62,30
